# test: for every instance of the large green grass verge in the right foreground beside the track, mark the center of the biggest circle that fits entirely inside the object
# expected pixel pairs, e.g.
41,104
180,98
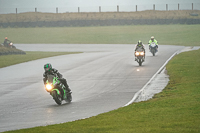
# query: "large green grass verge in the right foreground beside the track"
175,110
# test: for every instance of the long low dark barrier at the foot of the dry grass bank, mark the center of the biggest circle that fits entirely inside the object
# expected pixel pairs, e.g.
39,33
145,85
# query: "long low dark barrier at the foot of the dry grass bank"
107,22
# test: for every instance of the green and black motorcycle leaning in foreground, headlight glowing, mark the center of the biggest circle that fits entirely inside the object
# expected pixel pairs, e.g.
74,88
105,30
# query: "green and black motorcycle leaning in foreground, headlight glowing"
57,90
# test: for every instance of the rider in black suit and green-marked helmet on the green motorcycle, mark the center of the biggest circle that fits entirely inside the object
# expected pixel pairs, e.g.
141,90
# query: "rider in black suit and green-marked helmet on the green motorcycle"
49,70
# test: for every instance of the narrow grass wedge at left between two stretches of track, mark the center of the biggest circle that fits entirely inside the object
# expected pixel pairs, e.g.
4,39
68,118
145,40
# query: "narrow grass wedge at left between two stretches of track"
7,60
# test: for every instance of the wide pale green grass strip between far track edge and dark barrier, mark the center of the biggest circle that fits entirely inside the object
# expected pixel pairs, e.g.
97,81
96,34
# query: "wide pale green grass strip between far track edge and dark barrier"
184,35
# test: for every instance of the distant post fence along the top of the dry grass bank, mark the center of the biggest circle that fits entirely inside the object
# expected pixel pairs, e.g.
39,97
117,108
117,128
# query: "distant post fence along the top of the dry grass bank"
117,8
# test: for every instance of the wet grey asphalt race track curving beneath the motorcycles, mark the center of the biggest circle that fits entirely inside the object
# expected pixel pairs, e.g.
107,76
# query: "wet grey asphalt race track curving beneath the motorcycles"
102,78
